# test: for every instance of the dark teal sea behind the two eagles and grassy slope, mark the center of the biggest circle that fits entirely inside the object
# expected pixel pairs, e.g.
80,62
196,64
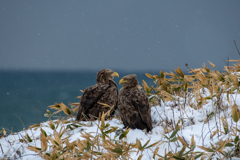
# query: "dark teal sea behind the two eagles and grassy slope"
26,95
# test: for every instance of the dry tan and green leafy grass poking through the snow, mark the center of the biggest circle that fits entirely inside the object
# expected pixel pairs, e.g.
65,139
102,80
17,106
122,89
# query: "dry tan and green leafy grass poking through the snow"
178,85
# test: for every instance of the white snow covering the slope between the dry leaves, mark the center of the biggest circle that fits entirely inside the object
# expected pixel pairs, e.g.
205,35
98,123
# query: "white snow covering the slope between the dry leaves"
163,116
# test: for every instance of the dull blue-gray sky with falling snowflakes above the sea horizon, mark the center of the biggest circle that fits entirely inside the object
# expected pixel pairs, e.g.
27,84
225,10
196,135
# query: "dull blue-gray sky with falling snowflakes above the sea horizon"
129,35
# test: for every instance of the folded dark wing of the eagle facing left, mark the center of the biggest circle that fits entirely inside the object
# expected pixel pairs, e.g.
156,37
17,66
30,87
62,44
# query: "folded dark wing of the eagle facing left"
141,104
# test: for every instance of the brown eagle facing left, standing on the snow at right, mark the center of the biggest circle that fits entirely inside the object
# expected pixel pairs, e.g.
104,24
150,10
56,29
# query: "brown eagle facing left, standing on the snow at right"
133,105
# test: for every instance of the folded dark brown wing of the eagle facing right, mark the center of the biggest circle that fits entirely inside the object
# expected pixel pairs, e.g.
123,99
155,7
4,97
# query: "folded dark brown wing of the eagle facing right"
90,96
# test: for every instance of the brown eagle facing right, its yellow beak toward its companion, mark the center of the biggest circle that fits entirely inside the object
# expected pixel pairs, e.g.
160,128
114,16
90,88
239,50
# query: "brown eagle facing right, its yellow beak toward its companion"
100,97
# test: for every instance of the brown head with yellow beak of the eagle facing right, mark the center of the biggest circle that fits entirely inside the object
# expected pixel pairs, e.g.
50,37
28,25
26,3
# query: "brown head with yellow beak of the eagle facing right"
104,75
